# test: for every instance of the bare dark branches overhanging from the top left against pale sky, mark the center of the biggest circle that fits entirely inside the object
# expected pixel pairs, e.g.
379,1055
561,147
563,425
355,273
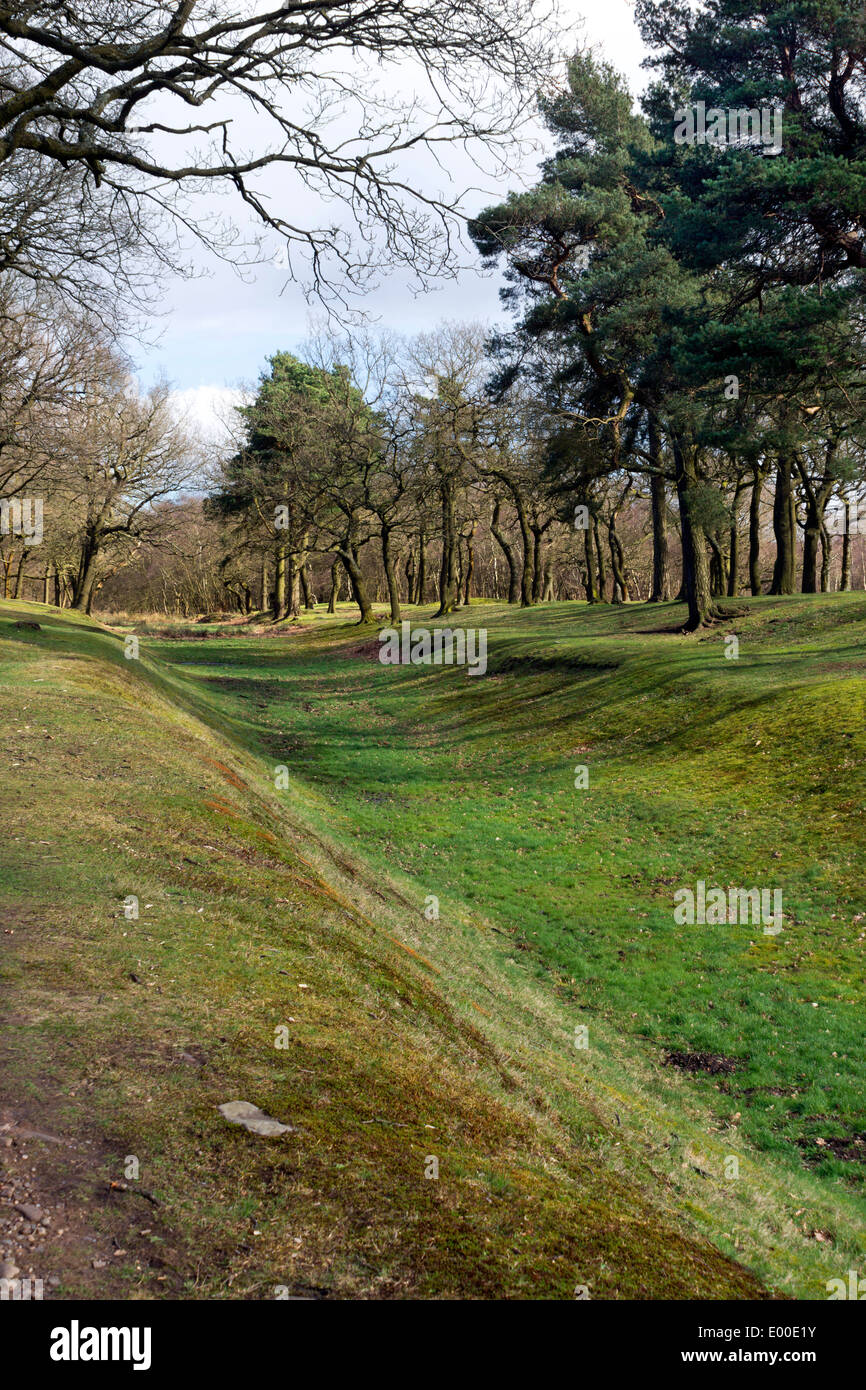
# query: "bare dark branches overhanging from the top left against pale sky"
148,98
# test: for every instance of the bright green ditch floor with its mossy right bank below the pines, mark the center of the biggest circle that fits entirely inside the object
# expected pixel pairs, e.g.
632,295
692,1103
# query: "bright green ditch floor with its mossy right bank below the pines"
743,772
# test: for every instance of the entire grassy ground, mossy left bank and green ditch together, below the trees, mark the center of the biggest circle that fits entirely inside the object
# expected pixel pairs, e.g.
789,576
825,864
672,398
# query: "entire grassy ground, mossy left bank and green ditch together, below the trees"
562,1167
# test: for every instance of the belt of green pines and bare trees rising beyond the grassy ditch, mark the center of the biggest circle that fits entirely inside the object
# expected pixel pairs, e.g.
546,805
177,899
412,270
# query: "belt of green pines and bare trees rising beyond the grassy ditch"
676,409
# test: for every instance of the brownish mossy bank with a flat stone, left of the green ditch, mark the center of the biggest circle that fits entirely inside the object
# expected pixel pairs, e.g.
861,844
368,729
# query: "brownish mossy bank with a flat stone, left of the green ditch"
123,1036
